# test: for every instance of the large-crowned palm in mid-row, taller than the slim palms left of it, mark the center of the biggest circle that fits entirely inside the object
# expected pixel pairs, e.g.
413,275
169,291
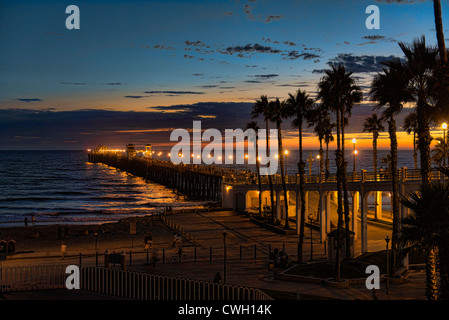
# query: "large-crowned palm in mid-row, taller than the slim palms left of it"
337,91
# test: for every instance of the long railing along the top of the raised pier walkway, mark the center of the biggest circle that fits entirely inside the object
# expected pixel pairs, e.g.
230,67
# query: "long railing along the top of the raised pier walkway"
363,176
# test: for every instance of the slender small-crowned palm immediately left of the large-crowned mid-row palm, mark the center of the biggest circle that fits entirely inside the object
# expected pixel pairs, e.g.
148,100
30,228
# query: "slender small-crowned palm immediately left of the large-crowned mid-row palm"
299,106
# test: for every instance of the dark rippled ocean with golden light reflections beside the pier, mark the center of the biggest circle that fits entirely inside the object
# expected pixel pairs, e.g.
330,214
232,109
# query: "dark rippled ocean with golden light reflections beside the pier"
63,187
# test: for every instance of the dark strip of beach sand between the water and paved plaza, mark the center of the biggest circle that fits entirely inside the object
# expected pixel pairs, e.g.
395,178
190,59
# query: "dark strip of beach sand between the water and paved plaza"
44,240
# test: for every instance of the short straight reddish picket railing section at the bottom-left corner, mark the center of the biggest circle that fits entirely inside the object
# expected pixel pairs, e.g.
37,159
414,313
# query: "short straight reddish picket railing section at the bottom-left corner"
28,278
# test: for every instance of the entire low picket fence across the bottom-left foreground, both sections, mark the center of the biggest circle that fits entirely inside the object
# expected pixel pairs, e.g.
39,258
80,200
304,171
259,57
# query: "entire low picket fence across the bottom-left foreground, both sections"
123,284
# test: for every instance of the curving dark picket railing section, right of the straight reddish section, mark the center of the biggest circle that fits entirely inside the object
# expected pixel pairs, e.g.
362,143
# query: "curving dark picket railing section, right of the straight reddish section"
143,286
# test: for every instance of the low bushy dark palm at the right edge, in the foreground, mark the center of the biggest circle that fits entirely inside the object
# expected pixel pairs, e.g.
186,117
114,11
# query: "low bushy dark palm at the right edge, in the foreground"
426,228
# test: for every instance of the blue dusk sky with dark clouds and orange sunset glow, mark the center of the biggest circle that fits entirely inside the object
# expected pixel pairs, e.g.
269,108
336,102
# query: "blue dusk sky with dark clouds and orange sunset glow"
136,70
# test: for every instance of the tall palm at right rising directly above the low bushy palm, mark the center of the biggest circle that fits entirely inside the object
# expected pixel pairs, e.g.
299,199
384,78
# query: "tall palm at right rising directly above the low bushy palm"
421,62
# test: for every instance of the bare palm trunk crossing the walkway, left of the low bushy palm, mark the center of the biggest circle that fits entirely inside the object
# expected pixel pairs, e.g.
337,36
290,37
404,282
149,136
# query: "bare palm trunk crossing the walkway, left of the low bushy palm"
395,187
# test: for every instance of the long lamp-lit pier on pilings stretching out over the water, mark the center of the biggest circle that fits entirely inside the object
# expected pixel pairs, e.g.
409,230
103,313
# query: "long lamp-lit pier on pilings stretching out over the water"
239,190
